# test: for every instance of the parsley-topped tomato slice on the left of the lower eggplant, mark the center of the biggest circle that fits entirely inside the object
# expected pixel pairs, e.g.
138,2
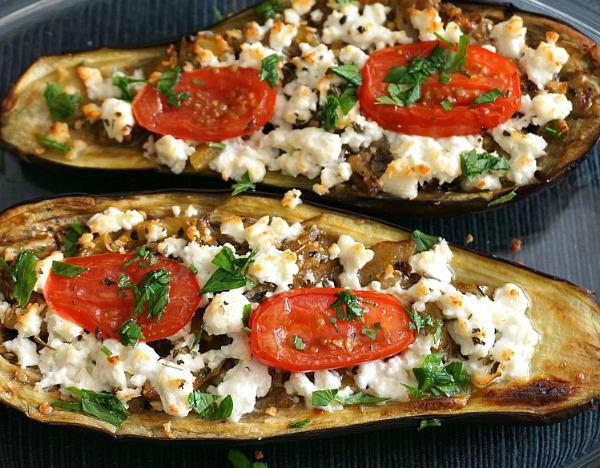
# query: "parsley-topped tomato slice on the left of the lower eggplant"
93,300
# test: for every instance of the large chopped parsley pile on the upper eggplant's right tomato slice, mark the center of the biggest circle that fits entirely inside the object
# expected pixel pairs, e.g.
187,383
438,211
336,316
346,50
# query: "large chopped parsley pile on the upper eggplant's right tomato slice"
404,82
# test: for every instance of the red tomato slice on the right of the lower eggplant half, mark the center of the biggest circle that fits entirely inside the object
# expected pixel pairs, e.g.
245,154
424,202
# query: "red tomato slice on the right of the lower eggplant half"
305,313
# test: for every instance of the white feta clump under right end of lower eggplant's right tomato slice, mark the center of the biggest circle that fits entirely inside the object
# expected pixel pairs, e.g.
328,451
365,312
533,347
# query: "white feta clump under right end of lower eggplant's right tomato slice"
388,378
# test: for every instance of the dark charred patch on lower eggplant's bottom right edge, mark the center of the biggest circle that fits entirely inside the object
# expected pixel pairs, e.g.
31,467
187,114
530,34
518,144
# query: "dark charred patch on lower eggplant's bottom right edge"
537,393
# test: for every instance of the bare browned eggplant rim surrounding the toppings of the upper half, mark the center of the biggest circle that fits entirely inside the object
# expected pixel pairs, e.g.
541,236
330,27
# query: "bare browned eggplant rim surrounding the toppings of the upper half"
25,114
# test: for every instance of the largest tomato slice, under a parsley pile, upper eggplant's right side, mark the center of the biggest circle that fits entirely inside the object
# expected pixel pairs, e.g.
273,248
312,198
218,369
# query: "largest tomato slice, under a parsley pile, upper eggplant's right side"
487,70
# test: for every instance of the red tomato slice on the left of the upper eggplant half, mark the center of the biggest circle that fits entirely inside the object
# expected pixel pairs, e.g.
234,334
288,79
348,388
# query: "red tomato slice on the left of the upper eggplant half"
224,103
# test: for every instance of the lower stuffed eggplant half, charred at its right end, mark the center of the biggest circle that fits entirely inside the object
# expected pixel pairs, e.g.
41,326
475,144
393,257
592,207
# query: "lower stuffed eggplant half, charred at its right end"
200,316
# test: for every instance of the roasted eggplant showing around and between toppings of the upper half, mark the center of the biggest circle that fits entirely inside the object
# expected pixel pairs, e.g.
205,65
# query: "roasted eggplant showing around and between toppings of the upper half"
25,114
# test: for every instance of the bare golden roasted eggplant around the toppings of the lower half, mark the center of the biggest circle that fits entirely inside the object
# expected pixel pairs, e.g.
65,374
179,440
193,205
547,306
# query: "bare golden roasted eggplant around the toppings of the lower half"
565,367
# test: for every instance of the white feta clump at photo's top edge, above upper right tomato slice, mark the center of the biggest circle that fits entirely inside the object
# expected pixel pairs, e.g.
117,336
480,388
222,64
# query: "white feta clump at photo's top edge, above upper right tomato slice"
365,30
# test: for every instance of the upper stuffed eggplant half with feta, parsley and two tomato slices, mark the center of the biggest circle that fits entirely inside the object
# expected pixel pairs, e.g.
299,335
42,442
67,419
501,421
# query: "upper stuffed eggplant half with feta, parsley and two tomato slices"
421,107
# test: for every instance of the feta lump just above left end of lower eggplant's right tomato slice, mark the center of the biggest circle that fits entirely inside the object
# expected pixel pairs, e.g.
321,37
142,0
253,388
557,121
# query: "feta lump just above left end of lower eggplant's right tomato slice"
276,267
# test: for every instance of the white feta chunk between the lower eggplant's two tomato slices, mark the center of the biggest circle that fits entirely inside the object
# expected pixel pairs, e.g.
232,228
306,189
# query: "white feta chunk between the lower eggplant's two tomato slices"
225,313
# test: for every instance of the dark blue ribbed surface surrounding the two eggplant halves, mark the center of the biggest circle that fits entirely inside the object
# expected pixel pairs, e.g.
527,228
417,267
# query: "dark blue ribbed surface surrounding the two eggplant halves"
558,228
